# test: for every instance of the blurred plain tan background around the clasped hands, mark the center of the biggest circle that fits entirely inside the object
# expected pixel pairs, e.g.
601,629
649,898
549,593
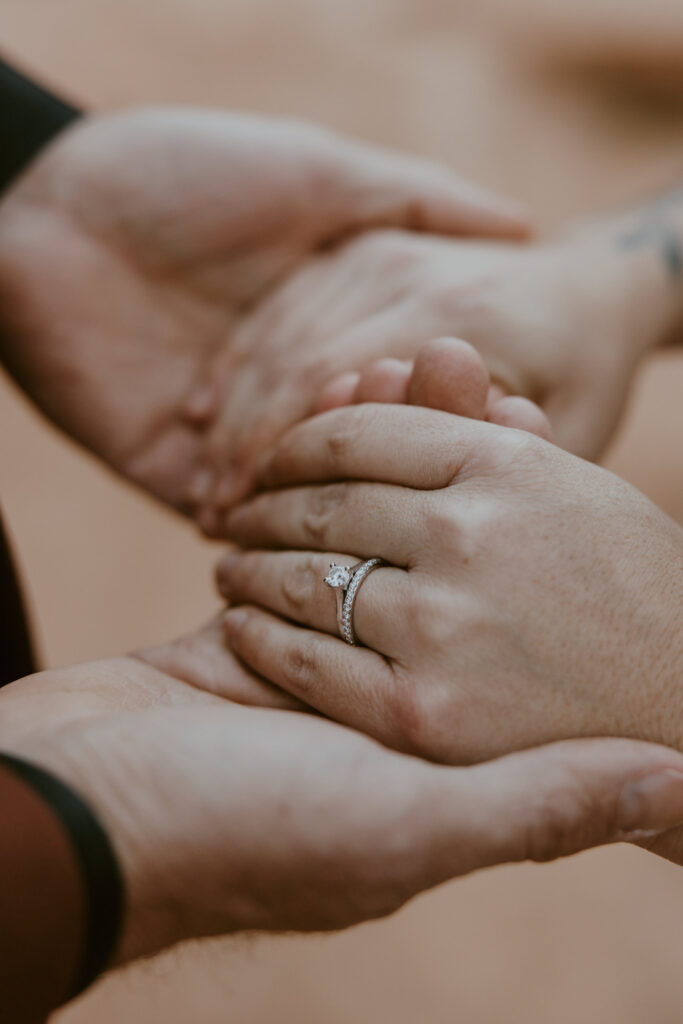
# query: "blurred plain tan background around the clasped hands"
571,106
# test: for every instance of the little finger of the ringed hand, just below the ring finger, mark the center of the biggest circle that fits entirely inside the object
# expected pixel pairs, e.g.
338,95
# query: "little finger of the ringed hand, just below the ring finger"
353,686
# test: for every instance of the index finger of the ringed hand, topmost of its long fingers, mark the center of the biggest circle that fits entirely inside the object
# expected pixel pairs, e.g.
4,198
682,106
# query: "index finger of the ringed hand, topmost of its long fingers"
416,448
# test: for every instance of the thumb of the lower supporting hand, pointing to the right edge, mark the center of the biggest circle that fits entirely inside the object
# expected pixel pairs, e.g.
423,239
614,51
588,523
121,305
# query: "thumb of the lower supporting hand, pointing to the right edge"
551,802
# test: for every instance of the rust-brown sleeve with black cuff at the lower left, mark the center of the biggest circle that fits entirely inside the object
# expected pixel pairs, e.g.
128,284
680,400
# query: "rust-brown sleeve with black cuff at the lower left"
61,894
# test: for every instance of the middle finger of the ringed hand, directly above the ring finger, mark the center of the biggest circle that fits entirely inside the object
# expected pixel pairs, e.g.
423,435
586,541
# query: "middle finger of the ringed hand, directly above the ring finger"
373,521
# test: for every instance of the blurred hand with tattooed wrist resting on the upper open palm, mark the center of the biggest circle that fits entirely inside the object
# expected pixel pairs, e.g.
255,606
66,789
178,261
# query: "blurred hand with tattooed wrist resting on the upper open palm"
563,323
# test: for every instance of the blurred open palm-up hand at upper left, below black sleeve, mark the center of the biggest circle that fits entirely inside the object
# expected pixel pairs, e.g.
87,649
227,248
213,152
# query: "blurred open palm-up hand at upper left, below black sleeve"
133,249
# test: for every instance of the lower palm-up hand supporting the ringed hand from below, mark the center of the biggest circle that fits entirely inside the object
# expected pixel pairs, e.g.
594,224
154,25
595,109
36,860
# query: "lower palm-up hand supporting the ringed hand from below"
227,819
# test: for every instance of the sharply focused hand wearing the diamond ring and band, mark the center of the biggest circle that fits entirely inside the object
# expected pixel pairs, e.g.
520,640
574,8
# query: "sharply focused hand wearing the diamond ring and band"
531,596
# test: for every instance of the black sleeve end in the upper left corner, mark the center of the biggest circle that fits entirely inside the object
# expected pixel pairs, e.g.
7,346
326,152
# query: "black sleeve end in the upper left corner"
29,118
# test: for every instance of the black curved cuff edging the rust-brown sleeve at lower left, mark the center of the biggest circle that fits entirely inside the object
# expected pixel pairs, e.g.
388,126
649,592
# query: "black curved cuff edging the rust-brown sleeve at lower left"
103,883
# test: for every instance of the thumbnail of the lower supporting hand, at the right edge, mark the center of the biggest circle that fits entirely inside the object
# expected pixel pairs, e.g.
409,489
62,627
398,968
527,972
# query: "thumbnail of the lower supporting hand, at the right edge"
654,803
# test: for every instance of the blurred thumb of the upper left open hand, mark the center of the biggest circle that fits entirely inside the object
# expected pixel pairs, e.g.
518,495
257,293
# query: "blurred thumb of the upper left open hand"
381,189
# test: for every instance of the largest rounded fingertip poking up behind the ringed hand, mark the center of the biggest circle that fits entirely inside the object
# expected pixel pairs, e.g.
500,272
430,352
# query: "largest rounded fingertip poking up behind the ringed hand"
450,375
